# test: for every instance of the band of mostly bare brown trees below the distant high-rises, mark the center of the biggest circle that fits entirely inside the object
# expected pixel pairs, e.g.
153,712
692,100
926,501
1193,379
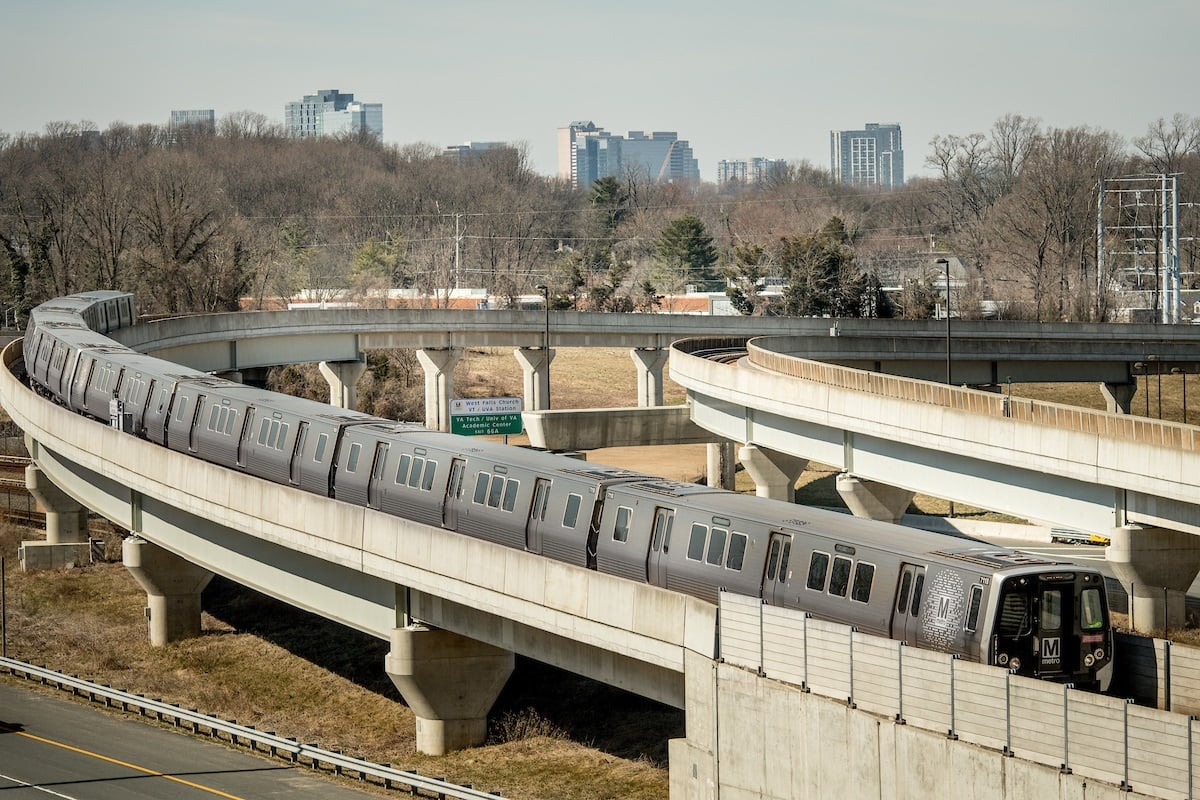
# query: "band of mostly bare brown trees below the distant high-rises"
200,220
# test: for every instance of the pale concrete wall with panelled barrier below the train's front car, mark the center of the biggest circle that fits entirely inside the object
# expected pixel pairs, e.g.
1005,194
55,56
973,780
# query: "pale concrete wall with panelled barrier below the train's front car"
920,724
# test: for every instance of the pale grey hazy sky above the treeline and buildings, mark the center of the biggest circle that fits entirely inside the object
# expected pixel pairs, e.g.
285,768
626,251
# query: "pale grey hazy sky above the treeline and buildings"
735,79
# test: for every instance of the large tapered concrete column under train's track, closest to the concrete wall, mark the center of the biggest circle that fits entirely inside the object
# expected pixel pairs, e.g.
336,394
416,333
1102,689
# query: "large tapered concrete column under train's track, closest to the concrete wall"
449,682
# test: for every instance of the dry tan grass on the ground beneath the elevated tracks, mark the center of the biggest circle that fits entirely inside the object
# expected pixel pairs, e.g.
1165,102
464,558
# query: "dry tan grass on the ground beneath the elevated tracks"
265,664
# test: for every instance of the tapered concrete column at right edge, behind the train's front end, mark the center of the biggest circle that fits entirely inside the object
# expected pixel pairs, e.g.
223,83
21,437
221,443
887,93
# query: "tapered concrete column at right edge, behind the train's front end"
1156,567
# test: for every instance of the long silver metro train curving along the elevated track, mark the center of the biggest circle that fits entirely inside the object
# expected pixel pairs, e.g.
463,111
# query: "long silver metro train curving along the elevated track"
986,604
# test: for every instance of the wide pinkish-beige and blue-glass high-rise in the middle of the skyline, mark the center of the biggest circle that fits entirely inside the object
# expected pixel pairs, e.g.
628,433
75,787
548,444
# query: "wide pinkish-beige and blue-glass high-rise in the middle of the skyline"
587,153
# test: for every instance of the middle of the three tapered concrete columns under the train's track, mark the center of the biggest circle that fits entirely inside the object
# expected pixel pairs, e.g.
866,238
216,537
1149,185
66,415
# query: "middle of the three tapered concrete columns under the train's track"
173,588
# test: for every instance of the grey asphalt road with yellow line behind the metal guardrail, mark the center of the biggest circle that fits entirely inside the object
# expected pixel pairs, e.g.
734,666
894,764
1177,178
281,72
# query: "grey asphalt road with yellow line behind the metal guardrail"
51,748
